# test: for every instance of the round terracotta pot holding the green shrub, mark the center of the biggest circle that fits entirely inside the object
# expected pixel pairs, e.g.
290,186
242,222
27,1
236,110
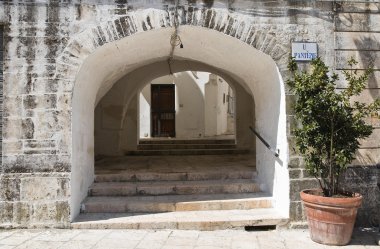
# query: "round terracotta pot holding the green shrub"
331,220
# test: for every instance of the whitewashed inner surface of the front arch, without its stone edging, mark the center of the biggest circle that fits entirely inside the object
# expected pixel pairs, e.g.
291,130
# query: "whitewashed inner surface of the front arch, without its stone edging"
245,67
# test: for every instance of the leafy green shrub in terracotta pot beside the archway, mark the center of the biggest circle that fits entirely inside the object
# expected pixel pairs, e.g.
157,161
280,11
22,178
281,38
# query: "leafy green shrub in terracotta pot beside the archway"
329,128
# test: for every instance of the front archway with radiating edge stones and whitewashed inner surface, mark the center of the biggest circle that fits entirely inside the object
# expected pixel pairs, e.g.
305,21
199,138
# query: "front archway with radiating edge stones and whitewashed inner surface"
254,63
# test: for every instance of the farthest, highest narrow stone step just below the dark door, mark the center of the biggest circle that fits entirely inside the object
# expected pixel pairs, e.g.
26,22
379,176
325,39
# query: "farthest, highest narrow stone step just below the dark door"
188,141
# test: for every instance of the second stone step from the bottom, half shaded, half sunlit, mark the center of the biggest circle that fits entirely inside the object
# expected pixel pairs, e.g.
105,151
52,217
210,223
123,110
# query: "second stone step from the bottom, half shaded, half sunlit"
175,203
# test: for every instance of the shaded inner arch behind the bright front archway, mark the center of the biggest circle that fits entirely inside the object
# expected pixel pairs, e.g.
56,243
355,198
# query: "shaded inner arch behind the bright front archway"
122,94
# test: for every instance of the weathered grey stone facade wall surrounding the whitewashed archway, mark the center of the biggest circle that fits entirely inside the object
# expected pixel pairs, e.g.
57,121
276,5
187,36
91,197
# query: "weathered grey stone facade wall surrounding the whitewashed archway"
47,41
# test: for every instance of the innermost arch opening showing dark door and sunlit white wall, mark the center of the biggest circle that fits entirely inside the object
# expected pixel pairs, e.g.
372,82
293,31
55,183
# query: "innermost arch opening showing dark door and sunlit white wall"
199,105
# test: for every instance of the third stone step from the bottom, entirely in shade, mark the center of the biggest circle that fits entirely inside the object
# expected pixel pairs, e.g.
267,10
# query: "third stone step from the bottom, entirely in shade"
173,187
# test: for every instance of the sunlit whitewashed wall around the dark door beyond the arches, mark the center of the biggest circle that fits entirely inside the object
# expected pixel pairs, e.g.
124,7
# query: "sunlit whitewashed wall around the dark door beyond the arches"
192,104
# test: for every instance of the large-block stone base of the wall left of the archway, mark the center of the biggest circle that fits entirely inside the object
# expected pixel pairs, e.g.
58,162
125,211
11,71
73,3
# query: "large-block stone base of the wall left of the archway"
34,200
